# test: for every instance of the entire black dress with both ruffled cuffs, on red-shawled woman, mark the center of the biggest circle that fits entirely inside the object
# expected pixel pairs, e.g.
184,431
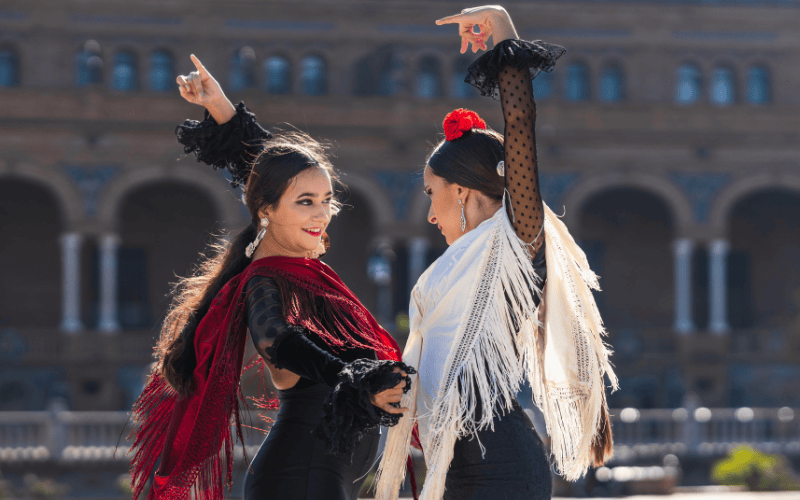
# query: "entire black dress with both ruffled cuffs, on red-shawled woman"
297,461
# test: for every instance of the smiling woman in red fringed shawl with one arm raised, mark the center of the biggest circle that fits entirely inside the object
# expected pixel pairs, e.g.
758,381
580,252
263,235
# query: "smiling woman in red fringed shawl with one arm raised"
337,371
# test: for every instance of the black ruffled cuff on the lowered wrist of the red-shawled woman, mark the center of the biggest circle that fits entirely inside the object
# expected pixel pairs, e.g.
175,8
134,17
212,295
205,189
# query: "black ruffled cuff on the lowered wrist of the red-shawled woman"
347,413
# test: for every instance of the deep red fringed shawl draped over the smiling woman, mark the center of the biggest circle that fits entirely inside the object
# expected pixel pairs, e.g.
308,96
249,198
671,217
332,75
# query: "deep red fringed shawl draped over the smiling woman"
192,434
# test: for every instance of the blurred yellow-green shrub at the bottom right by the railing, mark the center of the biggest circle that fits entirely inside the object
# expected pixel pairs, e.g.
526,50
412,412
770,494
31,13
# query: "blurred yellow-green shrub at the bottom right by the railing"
745,466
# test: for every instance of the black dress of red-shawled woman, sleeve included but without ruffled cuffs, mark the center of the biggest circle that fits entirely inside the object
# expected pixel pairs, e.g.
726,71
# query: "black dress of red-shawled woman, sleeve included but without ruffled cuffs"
292,463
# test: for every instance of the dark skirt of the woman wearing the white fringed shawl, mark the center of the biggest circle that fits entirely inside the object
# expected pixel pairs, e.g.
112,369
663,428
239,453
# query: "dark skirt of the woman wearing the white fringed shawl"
514,466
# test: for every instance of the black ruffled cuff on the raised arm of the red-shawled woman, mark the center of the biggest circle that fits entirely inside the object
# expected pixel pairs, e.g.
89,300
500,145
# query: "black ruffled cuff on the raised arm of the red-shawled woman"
234,145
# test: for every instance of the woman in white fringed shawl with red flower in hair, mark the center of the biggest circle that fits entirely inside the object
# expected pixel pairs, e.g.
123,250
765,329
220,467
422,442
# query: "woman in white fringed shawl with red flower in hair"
478,325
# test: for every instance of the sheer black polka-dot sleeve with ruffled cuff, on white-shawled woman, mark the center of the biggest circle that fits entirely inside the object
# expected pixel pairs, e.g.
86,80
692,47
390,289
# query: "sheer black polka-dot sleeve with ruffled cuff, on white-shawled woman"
507,70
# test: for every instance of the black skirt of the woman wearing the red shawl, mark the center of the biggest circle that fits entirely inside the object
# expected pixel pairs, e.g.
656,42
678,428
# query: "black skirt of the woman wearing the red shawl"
291,463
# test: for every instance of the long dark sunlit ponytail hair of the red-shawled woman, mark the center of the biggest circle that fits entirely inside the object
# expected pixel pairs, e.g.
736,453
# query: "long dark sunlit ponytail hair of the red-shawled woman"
283,158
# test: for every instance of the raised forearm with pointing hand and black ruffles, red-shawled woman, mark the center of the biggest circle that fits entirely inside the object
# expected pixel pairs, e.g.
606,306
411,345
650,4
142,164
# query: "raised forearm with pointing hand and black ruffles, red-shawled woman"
229,136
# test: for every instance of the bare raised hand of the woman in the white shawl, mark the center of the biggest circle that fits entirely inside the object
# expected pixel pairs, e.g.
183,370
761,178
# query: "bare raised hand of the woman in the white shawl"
492,20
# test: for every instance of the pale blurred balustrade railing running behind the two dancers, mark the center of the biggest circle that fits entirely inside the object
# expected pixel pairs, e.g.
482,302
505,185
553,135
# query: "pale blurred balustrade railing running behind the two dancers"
93,436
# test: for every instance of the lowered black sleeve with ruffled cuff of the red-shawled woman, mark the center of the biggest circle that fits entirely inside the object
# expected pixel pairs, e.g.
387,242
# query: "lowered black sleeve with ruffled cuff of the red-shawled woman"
347,411
